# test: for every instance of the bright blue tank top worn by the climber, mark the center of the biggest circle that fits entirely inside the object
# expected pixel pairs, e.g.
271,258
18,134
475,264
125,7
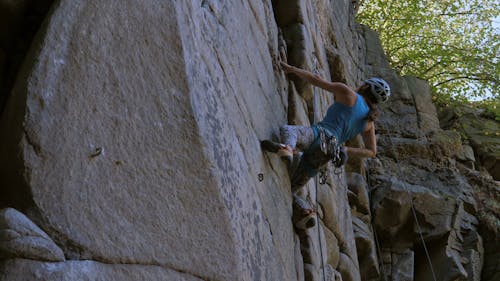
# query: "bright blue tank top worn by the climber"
346,122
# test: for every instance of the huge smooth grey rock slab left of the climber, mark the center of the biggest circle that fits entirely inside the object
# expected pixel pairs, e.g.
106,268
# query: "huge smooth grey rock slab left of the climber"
124,136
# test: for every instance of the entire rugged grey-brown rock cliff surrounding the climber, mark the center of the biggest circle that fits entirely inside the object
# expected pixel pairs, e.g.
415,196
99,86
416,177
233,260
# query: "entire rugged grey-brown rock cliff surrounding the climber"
131,137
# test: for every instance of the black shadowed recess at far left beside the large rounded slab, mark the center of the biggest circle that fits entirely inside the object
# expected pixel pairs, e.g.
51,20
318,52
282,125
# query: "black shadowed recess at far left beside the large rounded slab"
19,23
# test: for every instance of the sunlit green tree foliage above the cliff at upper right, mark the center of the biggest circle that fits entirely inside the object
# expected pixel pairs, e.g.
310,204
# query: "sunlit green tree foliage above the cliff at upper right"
451,43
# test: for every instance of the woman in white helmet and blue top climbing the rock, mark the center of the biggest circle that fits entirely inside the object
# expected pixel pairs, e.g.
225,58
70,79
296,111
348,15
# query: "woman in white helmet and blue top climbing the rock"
353,113
